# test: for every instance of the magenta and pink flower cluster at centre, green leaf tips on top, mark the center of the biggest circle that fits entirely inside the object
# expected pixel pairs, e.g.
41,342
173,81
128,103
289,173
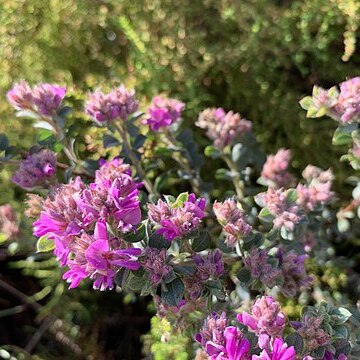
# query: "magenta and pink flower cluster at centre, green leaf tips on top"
175,222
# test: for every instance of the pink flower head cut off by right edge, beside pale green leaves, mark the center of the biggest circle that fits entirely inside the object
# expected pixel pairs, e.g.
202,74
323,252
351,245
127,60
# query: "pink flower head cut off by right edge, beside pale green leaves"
349,101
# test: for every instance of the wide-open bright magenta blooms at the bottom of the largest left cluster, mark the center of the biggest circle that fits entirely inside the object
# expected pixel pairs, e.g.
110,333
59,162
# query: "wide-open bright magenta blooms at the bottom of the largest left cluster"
94,257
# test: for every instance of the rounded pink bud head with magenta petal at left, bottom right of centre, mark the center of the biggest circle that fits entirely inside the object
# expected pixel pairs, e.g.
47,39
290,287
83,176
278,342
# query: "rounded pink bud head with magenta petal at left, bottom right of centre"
266,320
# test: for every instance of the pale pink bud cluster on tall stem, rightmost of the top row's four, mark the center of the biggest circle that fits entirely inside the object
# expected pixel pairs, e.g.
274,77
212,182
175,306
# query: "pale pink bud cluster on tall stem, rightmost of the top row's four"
221,127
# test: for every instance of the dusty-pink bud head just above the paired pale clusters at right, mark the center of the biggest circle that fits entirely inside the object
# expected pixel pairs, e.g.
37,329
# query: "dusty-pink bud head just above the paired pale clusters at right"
275,170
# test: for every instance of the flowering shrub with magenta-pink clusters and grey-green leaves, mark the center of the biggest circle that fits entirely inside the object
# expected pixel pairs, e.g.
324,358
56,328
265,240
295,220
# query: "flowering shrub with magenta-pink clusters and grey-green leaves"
201,254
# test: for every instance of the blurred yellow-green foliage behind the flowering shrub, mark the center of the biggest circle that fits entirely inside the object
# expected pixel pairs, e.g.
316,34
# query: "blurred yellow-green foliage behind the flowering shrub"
257,57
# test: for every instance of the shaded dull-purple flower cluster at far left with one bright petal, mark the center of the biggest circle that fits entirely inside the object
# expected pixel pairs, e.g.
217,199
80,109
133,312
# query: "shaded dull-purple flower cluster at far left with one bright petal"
36,170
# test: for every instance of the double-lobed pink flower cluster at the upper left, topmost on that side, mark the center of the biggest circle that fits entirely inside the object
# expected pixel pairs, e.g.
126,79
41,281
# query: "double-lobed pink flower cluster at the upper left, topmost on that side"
44,99
